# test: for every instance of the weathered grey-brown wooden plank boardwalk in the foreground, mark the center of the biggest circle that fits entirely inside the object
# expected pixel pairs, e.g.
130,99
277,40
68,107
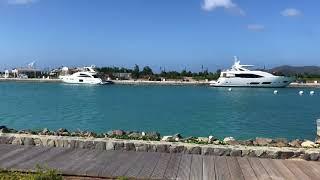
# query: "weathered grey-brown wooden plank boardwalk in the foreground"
147,165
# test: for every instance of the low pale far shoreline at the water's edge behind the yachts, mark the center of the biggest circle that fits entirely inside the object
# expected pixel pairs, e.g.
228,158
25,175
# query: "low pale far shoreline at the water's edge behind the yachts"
146,82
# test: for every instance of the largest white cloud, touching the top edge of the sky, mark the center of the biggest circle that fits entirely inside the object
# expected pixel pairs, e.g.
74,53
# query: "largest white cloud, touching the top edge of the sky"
210,5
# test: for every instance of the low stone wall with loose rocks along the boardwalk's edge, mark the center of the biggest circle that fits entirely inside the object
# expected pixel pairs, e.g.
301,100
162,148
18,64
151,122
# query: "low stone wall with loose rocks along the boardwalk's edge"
153,142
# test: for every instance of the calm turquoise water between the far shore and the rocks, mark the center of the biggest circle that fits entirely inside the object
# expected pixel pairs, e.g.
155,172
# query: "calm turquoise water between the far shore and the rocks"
189,110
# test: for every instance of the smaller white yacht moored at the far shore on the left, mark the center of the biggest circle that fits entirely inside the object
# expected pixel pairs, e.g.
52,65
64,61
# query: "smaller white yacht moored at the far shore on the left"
87,75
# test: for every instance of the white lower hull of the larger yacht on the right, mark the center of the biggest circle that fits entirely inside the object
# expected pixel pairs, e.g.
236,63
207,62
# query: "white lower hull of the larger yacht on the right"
276,81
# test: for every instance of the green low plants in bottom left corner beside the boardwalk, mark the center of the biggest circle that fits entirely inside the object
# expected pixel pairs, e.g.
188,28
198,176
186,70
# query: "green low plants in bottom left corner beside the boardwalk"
40,174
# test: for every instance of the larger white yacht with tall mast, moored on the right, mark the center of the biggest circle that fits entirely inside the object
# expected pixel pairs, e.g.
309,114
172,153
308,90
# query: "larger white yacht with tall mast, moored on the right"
240,76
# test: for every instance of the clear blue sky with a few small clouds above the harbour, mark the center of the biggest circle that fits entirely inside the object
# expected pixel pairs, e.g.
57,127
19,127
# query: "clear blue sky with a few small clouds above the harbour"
175,34
